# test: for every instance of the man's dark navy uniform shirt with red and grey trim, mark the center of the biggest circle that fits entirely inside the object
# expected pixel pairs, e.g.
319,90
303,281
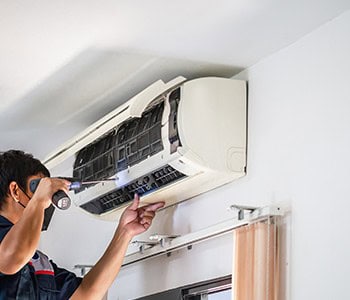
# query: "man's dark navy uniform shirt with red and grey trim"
40,278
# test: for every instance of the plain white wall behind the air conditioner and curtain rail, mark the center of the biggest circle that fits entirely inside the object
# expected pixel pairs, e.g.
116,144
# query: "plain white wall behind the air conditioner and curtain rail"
299,141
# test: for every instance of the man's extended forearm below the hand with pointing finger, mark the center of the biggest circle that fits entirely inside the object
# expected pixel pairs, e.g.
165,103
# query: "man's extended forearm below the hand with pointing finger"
96,283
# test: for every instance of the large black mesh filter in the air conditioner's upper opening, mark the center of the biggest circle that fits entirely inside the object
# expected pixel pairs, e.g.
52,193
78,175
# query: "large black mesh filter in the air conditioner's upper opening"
125,146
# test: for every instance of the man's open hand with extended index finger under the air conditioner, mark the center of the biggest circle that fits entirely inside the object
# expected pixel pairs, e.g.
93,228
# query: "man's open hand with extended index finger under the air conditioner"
136,220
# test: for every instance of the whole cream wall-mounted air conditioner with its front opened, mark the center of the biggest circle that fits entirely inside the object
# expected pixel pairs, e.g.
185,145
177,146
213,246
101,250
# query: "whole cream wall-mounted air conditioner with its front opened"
170,142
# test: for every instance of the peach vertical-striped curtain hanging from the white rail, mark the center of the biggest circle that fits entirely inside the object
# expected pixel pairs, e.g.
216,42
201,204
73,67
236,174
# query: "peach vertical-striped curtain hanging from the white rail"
256,262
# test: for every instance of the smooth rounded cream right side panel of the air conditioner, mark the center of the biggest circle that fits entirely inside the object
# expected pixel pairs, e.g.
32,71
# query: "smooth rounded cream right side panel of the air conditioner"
212,122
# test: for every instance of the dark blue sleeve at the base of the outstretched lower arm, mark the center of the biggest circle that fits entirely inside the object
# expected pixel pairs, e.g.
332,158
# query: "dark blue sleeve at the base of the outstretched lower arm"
66,282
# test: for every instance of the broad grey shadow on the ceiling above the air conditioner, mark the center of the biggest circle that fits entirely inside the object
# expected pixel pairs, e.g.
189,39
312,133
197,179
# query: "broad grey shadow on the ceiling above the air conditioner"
92,84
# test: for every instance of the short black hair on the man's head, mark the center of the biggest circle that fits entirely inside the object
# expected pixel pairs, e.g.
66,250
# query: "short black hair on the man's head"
15,165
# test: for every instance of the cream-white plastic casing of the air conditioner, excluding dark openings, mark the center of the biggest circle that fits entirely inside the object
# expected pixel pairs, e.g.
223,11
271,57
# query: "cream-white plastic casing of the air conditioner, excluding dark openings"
211,120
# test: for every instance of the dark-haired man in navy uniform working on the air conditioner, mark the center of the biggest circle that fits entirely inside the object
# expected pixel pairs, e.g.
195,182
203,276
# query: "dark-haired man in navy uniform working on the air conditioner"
26,273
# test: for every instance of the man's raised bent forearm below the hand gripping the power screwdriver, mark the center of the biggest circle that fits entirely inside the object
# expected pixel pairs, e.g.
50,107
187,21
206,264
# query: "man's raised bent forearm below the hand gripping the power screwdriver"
20,243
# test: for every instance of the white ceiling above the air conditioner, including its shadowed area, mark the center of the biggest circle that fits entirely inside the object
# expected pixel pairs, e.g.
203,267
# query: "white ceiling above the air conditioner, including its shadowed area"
64,64
